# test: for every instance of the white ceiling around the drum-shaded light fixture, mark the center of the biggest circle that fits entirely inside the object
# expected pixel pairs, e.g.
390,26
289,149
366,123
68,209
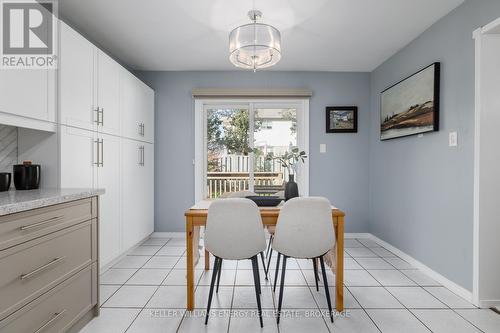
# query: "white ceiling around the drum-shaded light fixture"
317,35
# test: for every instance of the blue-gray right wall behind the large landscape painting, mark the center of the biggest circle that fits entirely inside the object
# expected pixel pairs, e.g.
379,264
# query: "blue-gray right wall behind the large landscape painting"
421,190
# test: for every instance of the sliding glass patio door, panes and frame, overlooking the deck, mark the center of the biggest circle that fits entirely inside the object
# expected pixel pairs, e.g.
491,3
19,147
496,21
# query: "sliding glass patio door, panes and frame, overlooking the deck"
234,140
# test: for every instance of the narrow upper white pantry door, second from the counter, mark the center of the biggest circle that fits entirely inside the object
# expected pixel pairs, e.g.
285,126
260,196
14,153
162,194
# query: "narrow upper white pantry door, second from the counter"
108,94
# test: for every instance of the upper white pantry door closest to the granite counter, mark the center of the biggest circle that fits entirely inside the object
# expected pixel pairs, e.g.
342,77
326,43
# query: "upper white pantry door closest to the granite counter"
76,80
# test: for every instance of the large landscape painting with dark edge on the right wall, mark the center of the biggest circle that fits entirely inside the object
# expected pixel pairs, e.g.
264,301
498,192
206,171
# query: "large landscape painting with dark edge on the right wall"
411,106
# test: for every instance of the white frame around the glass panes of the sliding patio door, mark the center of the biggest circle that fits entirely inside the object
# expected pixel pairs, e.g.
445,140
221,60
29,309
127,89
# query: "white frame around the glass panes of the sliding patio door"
200,130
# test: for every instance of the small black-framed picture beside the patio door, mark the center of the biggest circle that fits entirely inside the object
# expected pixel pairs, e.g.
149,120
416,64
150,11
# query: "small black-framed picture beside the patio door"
341,119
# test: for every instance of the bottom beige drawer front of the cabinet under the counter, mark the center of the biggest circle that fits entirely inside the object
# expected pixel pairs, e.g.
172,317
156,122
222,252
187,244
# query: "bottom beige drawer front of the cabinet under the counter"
57,310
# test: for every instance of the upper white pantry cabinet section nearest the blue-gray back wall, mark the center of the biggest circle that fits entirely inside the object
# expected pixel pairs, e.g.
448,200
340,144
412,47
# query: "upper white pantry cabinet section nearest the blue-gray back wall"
137,107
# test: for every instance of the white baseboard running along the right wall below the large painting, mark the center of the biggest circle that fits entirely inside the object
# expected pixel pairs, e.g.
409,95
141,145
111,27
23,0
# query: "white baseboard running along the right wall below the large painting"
460,291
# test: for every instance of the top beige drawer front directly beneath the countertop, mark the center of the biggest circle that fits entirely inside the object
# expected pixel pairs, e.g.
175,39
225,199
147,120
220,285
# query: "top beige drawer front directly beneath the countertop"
22,227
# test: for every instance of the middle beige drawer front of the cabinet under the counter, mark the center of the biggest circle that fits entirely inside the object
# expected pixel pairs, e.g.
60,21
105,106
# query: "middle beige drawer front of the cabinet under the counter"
30,269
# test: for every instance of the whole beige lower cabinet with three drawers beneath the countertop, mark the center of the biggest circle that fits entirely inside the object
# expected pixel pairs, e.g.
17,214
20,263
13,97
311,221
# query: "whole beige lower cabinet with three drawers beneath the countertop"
49,271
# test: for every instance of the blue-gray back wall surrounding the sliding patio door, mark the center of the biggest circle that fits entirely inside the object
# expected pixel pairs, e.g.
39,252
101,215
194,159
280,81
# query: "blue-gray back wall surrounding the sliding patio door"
341,174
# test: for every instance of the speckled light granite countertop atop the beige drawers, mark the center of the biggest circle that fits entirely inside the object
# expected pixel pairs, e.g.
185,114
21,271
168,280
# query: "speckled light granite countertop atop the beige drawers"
19,201
